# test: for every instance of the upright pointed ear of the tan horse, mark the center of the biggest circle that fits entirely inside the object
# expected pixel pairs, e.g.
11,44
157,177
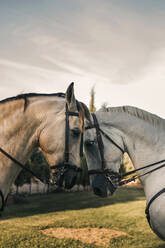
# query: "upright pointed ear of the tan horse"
70,98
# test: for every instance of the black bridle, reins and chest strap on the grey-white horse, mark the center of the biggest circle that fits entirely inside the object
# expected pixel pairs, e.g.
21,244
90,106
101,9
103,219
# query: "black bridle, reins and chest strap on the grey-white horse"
112,176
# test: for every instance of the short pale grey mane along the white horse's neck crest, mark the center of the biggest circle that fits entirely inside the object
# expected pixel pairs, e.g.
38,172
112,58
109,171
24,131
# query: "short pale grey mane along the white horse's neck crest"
138,113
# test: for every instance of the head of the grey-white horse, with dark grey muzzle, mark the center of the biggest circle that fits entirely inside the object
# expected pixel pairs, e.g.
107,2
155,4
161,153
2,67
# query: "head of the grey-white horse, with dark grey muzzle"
103,155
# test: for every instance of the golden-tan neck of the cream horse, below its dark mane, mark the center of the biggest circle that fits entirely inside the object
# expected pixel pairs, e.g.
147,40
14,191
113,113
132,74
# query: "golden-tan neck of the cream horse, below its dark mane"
19,132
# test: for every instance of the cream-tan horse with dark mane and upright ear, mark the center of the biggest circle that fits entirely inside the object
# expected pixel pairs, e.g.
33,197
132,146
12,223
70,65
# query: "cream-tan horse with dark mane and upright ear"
52,122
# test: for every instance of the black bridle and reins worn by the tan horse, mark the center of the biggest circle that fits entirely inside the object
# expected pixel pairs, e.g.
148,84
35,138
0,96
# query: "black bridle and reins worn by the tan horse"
60,169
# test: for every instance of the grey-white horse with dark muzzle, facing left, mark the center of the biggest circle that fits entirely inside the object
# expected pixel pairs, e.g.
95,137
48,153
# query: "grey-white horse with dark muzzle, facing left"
142,135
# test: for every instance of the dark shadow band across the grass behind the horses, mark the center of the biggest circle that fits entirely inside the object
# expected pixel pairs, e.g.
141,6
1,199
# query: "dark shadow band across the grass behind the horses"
54,202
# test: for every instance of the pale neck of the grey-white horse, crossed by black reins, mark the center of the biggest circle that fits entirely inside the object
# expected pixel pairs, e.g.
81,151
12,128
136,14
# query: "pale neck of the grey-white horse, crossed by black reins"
145,145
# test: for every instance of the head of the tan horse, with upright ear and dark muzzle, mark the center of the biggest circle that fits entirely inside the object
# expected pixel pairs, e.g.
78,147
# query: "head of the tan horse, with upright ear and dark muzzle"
61,138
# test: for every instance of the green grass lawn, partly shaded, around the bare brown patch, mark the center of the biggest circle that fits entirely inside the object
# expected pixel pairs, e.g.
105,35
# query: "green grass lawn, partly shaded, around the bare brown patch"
20,224
